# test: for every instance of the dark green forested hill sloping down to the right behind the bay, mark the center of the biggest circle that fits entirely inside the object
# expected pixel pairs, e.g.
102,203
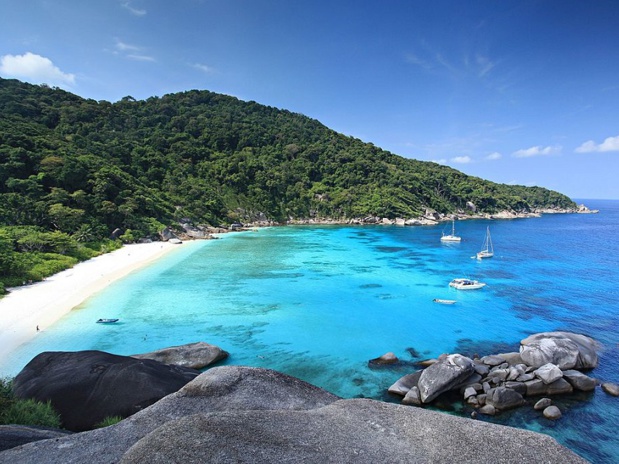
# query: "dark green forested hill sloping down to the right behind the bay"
85,167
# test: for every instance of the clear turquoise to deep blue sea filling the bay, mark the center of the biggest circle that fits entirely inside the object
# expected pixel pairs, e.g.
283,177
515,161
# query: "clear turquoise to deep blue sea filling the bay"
319,302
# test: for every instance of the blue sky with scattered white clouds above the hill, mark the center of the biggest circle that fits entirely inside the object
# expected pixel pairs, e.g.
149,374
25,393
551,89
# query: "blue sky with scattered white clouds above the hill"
522,92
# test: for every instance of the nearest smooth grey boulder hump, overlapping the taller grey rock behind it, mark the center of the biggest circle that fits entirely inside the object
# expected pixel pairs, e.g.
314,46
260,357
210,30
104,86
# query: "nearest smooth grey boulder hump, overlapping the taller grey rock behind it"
347,431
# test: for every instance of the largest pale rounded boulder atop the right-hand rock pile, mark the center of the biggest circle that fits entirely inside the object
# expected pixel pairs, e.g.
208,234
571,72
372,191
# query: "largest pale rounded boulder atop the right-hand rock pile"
566,350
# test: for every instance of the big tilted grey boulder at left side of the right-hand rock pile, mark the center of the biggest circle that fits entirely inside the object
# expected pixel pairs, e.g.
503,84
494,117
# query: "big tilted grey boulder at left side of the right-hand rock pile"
448,373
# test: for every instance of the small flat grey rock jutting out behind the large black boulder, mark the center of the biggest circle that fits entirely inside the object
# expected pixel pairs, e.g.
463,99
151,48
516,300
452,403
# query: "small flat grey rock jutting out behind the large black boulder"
196,355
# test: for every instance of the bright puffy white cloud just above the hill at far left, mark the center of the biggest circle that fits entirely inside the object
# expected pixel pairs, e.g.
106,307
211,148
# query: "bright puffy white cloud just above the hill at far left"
34,68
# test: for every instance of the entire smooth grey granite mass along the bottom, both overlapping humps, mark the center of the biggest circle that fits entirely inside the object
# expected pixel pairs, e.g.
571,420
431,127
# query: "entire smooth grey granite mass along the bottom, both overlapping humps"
251,415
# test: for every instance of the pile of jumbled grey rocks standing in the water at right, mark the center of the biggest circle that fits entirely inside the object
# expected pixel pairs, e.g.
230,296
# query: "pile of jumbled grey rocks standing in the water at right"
548,364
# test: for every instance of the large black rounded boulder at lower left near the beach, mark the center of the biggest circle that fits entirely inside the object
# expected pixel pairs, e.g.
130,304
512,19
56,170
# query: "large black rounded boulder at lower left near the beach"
85,387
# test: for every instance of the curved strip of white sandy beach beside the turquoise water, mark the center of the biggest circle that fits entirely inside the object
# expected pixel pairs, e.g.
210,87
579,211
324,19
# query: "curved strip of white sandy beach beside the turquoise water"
43,303
